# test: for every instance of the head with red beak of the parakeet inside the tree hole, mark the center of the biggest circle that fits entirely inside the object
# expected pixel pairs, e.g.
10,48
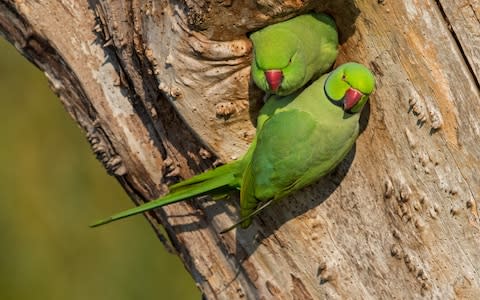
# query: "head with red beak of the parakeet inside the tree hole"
278,65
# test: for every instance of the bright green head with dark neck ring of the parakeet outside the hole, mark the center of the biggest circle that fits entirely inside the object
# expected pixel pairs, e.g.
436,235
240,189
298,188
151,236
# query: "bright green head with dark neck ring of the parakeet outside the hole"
349,86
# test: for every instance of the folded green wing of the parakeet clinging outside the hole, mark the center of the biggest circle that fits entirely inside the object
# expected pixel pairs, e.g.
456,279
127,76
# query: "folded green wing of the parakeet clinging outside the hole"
283,153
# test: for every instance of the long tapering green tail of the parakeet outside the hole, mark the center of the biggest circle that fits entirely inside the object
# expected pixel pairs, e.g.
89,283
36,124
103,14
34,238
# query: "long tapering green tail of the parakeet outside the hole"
221,178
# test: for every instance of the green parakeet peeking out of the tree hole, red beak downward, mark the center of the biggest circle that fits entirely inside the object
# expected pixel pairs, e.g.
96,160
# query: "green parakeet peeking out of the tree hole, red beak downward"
288,54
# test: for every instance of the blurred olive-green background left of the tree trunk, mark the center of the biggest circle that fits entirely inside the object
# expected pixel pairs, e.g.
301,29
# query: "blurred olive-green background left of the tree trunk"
51,188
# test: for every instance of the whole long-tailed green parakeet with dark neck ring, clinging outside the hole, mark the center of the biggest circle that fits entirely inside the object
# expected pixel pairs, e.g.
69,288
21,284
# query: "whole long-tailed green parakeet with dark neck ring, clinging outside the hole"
300,138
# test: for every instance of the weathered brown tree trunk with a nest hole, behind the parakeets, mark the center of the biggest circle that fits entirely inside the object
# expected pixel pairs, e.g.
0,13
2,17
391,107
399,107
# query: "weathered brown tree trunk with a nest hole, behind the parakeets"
162,90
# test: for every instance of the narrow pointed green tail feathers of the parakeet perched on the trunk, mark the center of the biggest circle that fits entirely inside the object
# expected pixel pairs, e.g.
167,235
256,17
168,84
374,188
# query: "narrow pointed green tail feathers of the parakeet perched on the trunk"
196,188
